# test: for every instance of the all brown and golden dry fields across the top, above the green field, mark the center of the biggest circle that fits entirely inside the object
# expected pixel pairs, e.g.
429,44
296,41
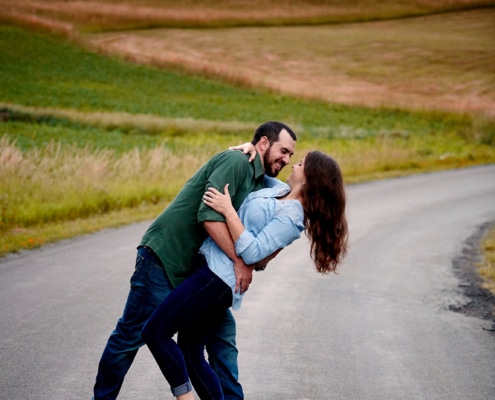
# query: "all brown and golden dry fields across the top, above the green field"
442,59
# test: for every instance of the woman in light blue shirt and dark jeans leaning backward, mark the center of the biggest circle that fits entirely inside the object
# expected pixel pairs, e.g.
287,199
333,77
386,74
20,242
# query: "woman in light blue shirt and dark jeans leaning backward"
268,220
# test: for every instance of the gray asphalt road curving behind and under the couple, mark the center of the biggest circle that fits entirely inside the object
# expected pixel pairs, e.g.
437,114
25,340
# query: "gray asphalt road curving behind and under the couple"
381,329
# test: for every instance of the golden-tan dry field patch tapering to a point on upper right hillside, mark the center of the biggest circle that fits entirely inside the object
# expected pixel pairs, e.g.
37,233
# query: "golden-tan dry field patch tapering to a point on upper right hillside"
442,62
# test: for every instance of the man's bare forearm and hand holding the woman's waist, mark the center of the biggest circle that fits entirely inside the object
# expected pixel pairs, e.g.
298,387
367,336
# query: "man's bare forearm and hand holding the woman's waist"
219,232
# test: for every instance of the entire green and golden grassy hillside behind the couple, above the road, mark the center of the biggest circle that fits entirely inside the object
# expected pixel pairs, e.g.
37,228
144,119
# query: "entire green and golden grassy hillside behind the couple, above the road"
385,93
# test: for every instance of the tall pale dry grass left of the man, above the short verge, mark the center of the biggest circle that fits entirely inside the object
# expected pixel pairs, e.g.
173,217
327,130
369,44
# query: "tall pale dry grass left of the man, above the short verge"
58,183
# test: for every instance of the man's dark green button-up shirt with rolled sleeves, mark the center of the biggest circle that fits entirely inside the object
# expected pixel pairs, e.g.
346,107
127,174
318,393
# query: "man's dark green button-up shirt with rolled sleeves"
177,233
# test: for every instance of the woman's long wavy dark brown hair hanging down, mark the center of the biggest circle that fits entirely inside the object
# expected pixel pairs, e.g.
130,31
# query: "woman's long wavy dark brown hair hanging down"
324,203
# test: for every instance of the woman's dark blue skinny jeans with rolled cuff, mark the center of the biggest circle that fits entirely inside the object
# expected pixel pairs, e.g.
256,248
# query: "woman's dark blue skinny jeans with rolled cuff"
194,310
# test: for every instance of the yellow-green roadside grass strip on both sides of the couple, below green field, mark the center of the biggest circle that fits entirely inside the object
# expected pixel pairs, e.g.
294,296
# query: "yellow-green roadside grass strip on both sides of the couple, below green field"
54,191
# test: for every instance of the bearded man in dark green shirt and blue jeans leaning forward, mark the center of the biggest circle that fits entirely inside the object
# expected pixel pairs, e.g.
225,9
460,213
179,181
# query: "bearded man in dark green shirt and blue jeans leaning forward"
168,249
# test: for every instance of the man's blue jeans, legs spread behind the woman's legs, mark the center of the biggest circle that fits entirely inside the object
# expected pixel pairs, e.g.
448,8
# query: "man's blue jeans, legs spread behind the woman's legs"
149,287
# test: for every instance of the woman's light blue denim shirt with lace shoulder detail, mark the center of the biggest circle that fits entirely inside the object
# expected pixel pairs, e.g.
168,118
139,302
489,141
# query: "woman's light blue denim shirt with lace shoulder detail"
270,224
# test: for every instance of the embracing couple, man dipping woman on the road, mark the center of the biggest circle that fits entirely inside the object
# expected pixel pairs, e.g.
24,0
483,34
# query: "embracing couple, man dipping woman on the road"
196,260
